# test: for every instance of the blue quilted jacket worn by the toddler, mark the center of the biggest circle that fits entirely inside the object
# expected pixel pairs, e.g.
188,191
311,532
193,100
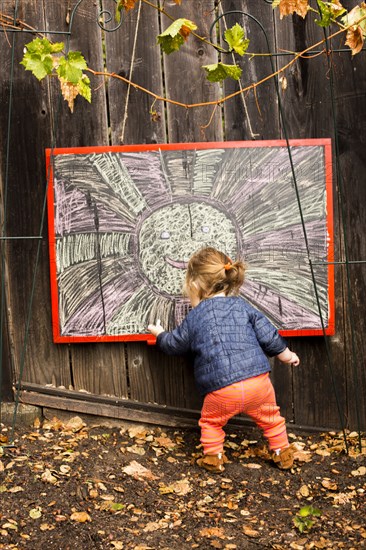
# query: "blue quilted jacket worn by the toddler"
229,339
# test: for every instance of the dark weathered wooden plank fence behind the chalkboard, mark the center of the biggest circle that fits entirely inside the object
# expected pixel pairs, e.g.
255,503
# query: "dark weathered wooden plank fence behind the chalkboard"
321,96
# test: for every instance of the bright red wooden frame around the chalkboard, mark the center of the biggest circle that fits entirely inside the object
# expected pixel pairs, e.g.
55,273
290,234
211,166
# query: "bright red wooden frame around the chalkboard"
325,142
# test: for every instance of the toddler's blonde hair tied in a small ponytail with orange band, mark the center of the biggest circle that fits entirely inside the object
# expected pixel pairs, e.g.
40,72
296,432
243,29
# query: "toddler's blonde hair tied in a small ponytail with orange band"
212,272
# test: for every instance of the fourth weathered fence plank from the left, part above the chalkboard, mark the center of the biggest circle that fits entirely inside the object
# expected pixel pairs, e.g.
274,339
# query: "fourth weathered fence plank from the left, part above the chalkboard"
186,81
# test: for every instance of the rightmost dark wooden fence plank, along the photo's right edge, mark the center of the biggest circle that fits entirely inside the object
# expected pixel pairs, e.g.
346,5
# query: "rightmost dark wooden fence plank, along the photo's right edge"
349,77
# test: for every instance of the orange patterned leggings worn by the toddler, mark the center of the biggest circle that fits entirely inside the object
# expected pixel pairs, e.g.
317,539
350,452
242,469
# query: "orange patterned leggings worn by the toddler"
254,397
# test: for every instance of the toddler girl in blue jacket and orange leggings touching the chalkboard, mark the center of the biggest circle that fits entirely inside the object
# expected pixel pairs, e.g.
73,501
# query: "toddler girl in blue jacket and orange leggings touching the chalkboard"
230,340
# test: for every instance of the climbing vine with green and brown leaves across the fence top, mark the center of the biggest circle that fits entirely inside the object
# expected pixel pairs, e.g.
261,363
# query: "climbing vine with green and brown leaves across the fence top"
44,58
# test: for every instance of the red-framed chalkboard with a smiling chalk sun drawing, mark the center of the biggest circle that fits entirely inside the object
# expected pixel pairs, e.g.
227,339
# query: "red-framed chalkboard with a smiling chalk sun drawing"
123,222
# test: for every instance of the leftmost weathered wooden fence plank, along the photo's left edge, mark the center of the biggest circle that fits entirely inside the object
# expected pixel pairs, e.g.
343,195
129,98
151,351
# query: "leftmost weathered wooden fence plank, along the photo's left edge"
27,104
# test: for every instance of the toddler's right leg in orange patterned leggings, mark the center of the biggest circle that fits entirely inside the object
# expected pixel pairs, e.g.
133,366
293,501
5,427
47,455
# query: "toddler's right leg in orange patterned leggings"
261,406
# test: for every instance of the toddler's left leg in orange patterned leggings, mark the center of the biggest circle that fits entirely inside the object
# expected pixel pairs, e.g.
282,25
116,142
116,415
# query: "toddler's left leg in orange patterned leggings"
218,407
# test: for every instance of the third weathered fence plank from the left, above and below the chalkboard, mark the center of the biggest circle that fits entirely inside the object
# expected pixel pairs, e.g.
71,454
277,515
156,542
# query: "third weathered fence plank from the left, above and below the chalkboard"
132,53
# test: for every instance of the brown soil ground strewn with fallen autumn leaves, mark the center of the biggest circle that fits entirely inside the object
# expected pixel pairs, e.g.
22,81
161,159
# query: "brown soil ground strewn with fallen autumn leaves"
67,486
